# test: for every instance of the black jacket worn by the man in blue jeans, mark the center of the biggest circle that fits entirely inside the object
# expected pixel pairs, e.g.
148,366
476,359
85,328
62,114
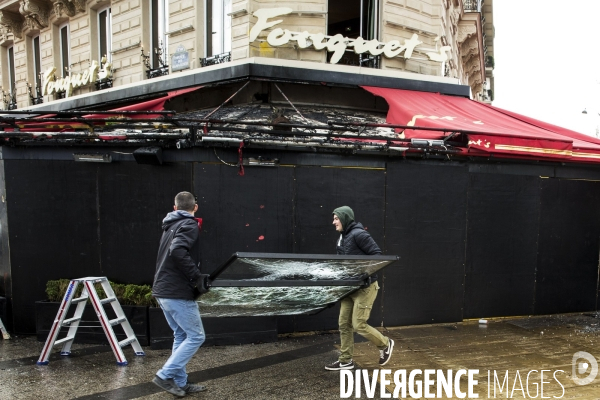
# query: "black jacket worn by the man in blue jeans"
177,263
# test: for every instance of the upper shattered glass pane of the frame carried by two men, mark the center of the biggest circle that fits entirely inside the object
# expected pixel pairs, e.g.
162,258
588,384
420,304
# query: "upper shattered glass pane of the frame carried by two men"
300,269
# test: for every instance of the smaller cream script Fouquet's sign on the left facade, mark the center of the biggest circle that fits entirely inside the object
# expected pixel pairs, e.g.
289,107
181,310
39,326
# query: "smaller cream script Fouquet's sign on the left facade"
88,76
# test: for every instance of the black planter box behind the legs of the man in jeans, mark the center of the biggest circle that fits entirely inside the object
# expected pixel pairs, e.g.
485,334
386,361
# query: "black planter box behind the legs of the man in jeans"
219,331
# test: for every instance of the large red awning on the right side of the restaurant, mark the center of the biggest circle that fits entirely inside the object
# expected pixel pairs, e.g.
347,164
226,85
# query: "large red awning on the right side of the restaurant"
489,130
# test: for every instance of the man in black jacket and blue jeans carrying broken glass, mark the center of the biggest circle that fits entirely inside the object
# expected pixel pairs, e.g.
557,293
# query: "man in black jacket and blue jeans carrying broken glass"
177,274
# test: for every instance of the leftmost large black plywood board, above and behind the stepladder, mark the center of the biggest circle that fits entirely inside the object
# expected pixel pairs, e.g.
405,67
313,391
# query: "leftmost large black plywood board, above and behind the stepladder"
53,219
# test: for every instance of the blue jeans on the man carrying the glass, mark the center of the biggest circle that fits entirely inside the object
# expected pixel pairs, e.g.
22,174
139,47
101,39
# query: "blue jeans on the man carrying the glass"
183,317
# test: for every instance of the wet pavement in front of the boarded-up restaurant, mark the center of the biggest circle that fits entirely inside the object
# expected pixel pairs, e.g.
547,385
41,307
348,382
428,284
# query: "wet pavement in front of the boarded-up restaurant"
292,368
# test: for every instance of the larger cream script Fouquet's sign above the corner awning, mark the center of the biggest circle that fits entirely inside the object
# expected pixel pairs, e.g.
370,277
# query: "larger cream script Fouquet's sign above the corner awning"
336,44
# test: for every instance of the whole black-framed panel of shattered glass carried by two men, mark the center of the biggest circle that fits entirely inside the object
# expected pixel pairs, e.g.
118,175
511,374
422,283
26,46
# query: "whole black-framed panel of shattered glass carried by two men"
261,284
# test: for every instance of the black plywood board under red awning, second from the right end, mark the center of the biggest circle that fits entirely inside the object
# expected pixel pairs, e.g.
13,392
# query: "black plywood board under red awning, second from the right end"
502,234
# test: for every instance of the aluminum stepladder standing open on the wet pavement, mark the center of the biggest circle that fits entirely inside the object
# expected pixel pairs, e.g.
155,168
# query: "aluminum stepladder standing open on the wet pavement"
89,292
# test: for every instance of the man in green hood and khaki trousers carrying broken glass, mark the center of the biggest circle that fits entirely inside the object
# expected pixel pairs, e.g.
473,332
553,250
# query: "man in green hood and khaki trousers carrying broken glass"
356,308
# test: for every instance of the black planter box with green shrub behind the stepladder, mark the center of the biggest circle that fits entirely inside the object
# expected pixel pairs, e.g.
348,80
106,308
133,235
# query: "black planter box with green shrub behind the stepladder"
45,313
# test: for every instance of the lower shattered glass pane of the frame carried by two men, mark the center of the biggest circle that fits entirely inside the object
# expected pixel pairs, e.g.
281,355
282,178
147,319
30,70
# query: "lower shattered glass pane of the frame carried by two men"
263,301
